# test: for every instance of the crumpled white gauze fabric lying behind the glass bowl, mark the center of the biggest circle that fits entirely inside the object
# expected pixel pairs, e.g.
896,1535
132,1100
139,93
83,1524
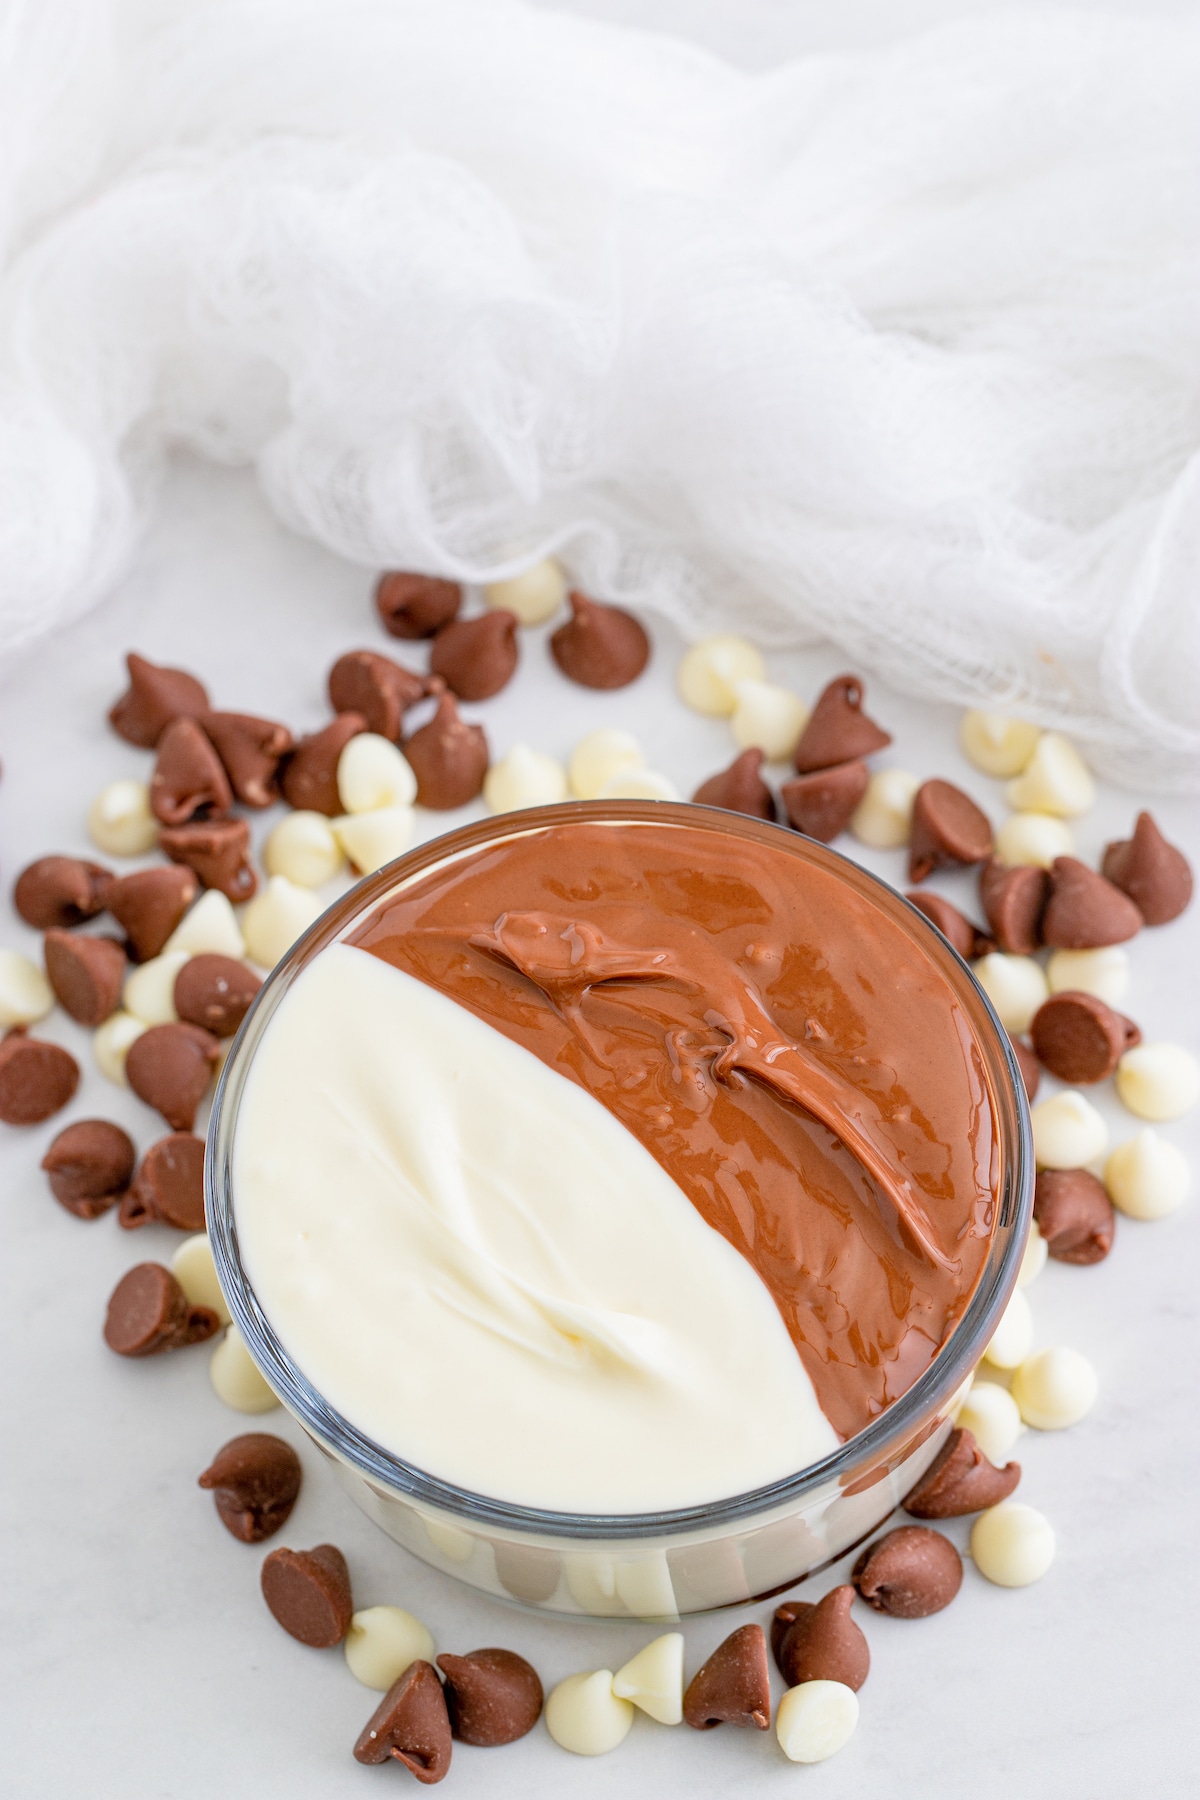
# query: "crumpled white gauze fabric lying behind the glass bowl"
891,348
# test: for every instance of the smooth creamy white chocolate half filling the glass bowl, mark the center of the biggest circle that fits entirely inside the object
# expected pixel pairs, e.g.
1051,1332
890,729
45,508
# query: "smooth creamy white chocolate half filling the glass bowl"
485,1272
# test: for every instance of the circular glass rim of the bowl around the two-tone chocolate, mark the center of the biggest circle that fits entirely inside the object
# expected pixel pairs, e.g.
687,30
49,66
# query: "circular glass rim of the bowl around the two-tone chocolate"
875,1448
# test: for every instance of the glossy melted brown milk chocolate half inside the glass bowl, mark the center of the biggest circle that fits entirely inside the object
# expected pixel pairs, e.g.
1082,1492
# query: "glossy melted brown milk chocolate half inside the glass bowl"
784,1048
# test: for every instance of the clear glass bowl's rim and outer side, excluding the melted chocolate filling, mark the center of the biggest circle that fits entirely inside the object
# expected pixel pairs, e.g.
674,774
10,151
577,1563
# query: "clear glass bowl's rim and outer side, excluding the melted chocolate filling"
692,1560
